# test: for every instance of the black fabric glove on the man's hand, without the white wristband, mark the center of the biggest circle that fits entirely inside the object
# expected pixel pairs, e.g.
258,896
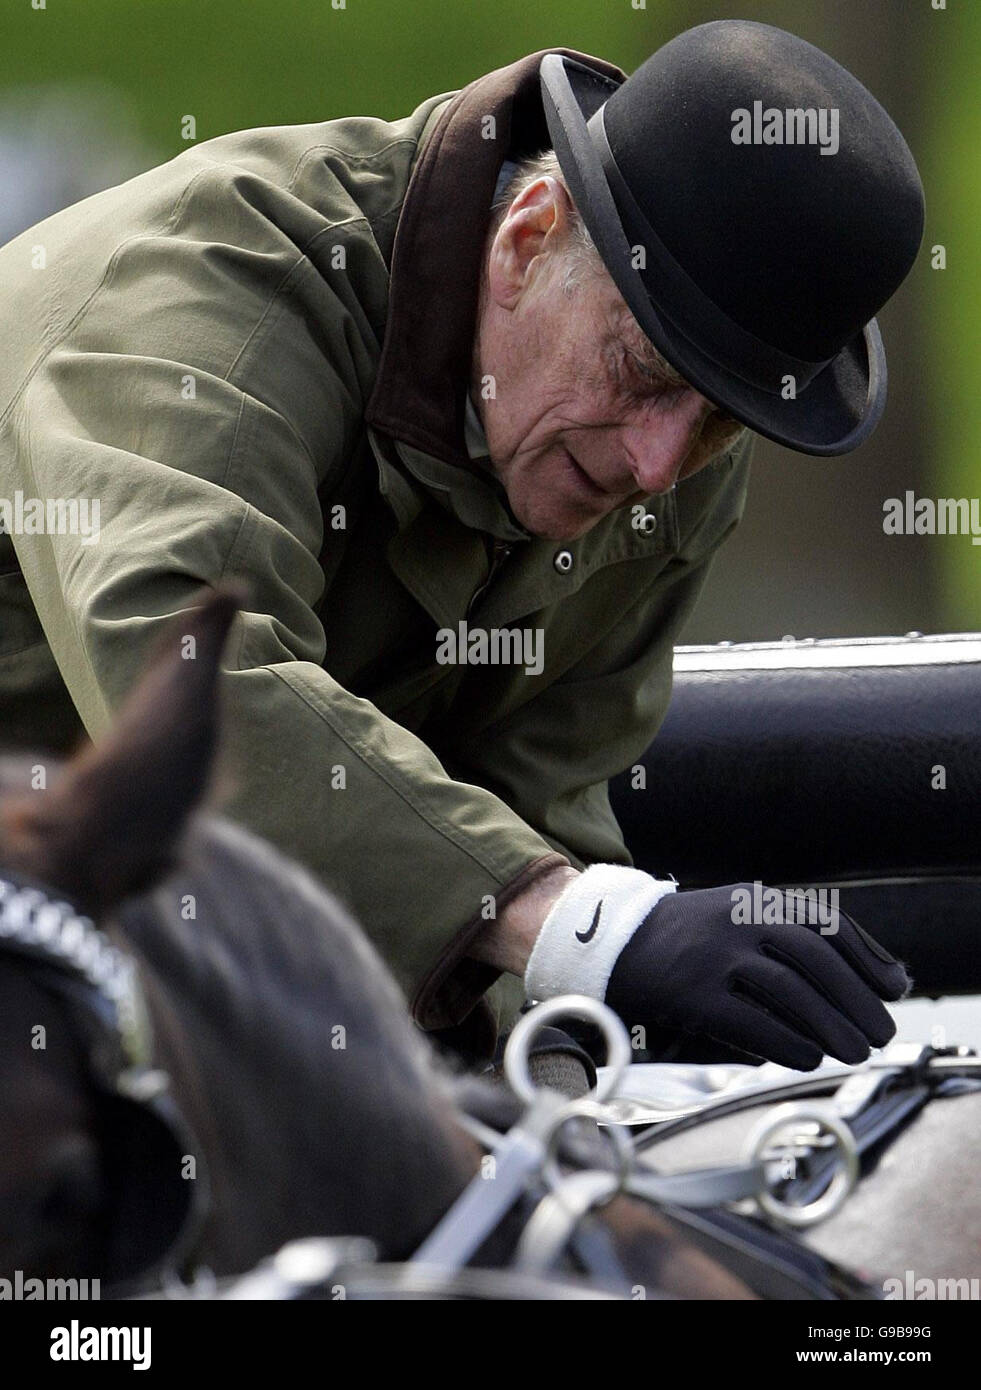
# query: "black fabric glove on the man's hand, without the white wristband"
787,993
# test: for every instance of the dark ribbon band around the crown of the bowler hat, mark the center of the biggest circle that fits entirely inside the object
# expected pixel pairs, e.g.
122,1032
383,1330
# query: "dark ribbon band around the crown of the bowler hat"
704,323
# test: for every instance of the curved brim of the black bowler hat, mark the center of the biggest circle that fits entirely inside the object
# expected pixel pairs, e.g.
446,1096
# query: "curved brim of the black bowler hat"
832,416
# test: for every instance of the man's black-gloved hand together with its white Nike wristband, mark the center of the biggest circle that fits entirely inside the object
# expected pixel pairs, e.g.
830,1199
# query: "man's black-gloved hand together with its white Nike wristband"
684,961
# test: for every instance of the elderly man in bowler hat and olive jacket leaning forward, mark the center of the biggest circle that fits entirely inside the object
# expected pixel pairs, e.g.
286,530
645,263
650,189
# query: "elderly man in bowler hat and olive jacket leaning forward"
484,373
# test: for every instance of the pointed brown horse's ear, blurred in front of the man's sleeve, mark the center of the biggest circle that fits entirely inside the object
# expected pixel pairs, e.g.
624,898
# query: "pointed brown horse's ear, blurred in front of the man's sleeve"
110,824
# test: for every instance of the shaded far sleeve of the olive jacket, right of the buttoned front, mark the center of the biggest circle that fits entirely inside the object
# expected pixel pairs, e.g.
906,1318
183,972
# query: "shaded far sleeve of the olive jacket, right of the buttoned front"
552,758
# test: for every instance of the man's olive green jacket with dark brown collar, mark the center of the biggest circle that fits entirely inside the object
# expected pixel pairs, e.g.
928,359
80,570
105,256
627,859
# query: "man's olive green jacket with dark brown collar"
255,359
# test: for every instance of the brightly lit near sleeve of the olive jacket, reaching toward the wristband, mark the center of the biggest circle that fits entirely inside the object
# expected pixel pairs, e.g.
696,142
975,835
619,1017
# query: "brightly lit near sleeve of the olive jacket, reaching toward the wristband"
209,384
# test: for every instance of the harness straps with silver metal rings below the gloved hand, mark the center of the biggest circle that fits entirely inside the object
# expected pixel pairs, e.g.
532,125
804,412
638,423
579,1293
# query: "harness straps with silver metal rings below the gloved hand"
801,1164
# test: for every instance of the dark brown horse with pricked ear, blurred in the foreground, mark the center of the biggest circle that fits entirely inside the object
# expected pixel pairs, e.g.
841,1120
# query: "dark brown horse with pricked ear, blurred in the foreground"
308,1103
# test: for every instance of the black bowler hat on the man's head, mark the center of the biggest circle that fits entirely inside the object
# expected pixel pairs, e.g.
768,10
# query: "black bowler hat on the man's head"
761,261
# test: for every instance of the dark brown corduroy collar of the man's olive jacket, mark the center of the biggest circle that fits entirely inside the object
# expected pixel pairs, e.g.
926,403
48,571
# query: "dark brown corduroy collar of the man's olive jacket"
424,370
